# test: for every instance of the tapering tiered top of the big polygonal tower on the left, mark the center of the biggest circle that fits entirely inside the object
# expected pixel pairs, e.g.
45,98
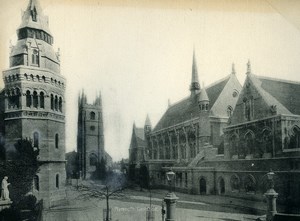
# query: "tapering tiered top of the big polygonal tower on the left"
34,45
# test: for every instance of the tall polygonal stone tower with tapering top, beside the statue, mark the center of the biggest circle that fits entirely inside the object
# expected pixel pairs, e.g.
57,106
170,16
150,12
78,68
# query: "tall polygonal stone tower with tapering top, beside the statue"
35,102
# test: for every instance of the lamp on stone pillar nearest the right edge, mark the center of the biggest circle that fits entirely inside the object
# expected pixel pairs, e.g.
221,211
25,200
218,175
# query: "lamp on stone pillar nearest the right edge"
271,196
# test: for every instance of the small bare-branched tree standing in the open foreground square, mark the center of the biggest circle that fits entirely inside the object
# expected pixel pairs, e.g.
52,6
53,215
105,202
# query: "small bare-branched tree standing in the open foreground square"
112,186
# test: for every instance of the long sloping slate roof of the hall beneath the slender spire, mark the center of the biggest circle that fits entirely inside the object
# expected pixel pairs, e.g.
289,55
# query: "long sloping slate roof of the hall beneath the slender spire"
187,108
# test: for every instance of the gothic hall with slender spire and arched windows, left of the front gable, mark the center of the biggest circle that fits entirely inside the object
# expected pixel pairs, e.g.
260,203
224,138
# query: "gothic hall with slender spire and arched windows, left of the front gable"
190,130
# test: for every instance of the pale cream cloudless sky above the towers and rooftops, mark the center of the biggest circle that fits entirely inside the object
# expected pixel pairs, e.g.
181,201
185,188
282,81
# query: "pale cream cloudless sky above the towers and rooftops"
139,53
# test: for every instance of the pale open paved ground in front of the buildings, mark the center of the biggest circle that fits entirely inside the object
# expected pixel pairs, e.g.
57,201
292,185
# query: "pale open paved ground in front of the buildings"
133,206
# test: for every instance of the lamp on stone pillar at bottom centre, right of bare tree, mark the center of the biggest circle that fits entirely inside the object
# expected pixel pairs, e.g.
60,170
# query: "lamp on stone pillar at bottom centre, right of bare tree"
170,198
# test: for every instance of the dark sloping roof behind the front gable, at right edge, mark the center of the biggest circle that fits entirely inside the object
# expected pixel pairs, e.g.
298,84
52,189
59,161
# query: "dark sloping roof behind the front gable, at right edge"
285,92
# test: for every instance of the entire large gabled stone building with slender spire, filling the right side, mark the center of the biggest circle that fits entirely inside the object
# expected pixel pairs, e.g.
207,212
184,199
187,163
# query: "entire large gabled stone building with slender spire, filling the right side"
224,139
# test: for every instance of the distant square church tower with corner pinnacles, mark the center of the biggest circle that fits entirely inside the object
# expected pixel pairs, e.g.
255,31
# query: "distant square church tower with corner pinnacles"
90,137
